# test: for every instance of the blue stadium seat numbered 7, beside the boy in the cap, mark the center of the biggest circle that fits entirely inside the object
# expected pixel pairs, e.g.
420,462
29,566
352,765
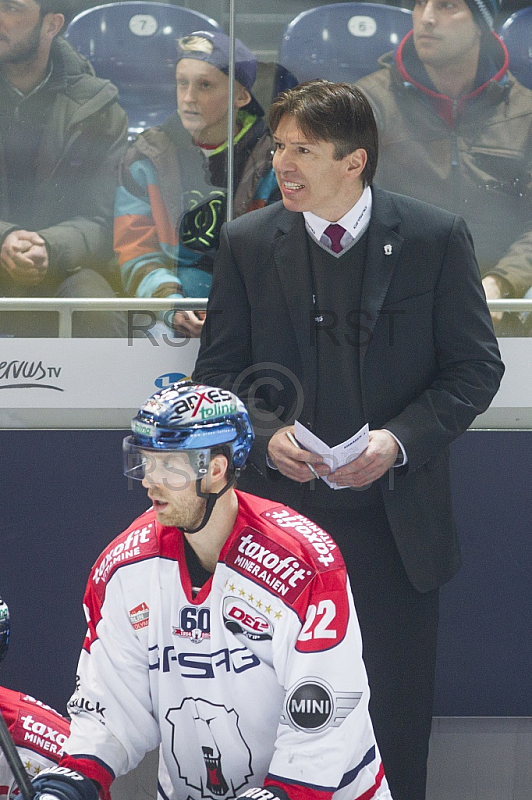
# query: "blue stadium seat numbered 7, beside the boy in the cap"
133,44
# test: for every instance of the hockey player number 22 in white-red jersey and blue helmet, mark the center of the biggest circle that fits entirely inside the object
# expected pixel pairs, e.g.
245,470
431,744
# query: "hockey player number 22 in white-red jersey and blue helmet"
221,626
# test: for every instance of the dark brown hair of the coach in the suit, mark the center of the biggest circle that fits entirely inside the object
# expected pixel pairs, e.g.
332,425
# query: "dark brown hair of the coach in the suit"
332,112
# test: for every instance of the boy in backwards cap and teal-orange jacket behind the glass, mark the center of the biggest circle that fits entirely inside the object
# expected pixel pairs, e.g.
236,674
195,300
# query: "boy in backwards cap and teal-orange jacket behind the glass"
172,197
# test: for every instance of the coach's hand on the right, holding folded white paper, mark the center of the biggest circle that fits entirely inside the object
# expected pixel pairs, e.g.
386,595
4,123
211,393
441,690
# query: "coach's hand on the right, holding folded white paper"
377,458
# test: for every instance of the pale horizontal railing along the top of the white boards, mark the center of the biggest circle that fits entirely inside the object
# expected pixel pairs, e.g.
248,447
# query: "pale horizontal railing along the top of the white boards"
65,306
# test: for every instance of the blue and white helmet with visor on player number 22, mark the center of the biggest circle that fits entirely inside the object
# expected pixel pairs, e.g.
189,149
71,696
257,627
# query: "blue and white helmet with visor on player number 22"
192,417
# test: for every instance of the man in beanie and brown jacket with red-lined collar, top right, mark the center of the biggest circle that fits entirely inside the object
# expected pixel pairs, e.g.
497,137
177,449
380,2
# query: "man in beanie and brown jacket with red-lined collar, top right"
455,130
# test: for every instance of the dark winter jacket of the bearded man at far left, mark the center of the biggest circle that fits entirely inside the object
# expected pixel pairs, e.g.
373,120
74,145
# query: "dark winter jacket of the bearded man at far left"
82,140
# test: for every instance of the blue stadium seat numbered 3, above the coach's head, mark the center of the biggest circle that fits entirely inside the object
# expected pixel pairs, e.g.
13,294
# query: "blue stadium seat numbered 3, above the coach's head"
342,41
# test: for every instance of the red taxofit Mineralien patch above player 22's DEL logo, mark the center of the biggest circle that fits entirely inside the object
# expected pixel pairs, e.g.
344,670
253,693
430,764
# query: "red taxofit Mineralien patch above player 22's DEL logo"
269,564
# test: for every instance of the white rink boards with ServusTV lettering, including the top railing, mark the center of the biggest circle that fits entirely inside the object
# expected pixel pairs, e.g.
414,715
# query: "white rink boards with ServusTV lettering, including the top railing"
67,382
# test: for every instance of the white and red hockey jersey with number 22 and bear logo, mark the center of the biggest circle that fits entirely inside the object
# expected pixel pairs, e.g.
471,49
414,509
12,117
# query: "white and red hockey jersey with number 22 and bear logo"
257,679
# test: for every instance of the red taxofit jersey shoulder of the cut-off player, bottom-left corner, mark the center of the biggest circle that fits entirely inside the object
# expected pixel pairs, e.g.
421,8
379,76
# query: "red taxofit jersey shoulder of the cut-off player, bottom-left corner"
38,732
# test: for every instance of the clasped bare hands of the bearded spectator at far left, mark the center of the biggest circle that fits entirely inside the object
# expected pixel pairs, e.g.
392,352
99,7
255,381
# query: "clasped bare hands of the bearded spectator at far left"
24,257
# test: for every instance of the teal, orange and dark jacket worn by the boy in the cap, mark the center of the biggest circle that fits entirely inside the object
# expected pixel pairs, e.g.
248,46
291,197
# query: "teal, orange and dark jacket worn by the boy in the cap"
171,203
